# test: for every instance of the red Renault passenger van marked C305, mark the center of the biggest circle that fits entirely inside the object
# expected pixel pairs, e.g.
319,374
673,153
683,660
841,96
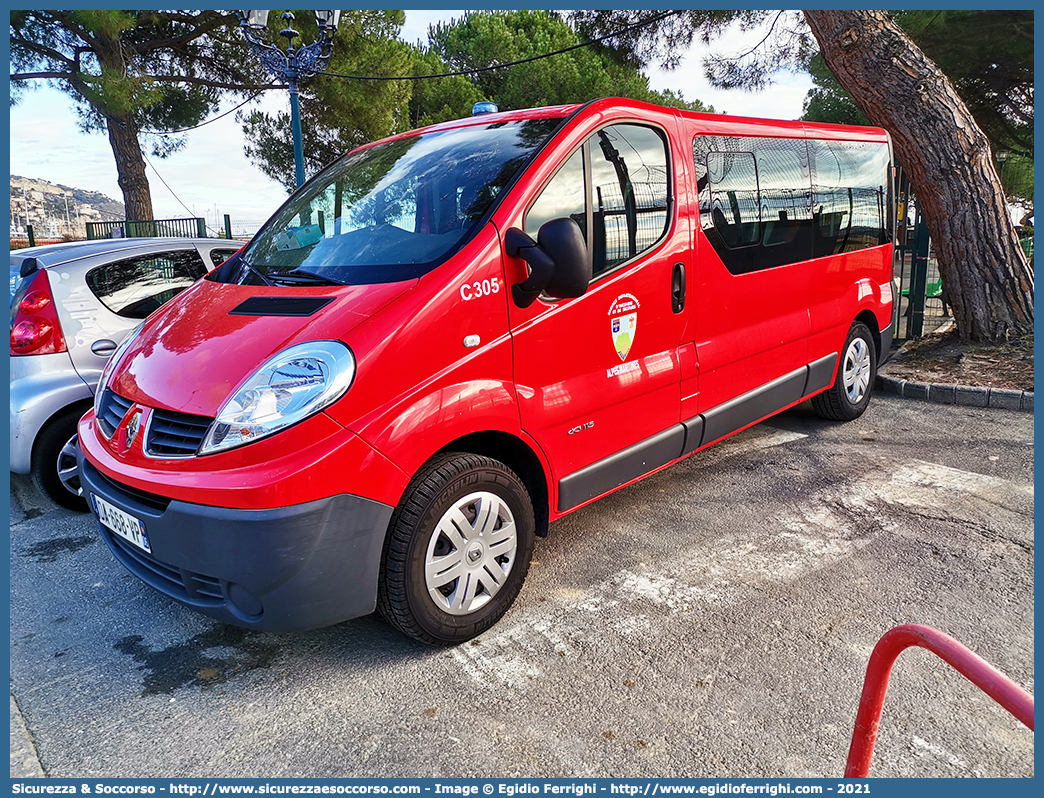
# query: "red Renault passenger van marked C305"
452,338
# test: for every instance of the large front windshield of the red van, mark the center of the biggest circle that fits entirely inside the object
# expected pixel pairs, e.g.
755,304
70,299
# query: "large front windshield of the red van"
393,212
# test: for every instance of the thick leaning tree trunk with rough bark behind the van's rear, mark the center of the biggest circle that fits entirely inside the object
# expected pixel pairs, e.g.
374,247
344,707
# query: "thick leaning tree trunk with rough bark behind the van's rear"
989,283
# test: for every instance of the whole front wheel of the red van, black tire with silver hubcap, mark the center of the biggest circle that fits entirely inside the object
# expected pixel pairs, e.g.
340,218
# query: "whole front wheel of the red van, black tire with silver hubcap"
458,551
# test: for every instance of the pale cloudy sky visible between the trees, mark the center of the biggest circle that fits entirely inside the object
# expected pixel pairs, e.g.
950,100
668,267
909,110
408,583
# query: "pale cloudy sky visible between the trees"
211,177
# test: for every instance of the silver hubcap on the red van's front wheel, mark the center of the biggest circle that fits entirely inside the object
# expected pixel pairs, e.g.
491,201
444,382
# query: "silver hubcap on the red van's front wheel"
470,554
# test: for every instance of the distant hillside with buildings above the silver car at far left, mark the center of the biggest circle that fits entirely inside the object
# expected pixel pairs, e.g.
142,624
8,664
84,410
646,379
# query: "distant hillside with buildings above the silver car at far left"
57,212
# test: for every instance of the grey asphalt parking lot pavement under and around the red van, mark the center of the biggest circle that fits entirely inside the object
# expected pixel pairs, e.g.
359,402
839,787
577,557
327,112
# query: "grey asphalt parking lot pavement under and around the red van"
714,620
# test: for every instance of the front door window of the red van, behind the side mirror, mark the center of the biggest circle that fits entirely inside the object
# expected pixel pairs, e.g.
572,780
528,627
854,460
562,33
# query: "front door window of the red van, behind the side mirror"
627,202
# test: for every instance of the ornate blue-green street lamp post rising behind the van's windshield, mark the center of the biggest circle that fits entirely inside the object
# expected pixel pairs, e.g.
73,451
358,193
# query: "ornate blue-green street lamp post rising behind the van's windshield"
294,66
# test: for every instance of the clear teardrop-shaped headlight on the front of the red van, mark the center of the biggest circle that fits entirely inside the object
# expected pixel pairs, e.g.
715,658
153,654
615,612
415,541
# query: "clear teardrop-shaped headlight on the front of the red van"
298,383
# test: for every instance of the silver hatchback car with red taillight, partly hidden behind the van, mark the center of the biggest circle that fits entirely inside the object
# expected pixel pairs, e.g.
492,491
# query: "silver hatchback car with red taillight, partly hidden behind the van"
72,304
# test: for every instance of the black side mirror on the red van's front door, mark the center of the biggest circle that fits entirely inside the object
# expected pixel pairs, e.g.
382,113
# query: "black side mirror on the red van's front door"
558,262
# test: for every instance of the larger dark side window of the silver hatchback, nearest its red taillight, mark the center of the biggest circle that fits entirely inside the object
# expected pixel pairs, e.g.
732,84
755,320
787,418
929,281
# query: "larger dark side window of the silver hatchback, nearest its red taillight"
135,288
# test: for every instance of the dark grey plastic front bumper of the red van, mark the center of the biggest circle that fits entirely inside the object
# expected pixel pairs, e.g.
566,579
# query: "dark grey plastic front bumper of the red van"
280,570
